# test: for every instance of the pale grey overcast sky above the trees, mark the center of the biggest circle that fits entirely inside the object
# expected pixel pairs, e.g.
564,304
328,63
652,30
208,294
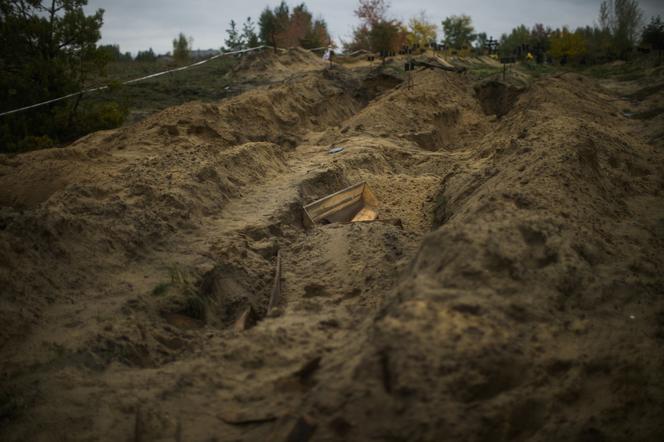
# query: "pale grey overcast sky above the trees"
140,24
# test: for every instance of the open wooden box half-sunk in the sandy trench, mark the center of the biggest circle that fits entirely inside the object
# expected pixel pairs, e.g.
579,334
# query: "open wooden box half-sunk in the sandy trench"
352,204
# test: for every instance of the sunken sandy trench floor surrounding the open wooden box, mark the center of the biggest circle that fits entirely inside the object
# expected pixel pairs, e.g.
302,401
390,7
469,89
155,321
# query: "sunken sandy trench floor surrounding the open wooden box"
334,279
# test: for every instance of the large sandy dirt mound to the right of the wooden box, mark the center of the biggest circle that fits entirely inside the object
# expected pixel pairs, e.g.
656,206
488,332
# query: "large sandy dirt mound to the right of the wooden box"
521,308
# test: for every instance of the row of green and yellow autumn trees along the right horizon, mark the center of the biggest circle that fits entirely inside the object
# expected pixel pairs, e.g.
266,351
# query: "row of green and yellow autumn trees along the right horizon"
618,34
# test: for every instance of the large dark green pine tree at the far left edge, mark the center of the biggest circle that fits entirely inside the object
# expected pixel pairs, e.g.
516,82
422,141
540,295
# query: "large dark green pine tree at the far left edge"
47,49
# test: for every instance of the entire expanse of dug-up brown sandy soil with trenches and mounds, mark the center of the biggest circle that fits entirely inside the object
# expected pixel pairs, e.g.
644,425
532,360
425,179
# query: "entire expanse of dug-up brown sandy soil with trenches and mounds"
518,298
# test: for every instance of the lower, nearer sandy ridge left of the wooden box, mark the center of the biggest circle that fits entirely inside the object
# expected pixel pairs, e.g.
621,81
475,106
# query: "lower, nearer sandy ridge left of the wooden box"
118,219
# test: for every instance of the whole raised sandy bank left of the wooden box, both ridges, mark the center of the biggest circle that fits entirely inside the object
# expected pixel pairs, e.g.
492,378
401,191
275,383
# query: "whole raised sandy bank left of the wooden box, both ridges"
122,192
